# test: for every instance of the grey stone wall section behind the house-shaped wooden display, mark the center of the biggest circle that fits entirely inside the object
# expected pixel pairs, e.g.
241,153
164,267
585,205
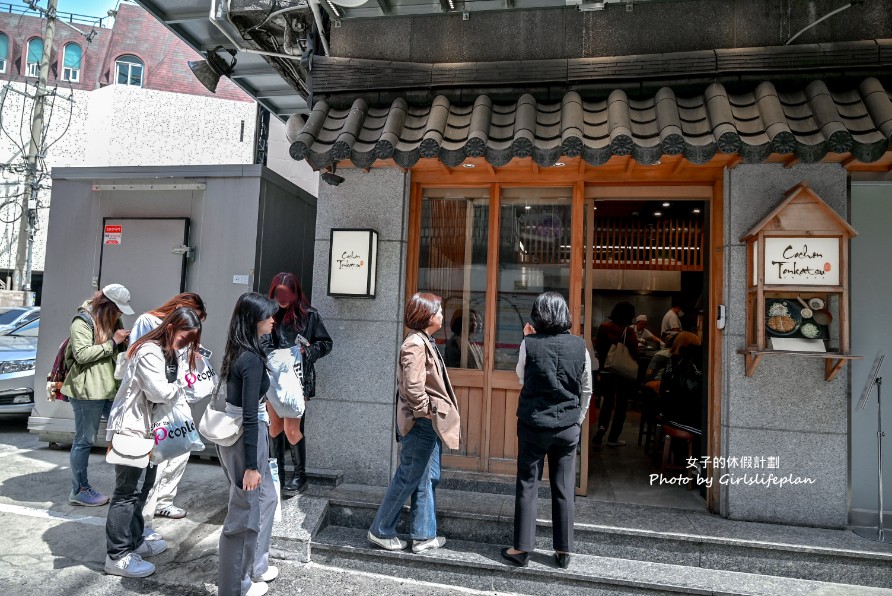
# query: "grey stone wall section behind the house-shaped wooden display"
786,409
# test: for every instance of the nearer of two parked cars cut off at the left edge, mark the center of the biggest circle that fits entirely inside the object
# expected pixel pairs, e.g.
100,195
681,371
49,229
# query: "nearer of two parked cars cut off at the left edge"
18,355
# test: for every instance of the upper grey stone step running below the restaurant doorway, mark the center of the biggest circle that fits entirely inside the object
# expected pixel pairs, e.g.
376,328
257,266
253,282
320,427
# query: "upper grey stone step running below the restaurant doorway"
651,534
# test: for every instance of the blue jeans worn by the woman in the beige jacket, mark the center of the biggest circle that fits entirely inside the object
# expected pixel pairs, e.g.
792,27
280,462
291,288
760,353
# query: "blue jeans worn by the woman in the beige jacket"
417,476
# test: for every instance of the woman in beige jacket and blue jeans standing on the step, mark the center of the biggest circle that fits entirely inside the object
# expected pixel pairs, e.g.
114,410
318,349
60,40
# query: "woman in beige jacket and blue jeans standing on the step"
427,416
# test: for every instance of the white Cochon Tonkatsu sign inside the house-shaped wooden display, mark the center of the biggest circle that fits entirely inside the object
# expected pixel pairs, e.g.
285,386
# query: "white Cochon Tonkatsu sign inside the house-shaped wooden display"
802,261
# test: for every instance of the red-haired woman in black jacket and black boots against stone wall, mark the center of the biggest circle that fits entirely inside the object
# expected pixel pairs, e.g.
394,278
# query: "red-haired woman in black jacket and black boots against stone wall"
297,323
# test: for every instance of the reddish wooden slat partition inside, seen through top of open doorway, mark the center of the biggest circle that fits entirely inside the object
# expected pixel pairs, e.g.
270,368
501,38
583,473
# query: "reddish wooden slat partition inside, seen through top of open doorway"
671,245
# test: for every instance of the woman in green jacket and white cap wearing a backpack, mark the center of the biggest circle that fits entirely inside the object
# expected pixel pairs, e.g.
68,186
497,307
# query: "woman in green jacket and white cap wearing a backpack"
96,336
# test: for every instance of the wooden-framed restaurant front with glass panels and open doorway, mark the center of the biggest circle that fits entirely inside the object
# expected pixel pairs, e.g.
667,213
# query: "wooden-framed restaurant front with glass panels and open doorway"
490,249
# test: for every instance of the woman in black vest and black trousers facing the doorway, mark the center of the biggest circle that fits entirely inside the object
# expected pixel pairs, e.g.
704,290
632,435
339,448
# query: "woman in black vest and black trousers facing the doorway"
555,370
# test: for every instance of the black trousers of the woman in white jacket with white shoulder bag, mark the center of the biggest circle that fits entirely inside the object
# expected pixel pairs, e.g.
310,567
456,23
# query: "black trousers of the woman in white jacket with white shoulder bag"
124,523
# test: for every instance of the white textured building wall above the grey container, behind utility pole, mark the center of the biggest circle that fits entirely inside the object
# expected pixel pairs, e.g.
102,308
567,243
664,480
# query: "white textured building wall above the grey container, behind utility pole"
119,125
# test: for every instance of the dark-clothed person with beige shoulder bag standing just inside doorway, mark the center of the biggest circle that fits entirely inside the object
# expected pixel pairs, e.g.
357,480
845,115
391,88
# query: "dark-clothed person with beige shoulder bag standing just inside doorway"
614,389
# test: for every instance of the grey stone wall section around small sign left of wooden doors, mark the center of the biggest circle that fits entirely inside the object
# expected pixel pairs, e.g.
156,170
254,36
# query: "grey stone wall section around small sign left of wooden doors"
350,422
